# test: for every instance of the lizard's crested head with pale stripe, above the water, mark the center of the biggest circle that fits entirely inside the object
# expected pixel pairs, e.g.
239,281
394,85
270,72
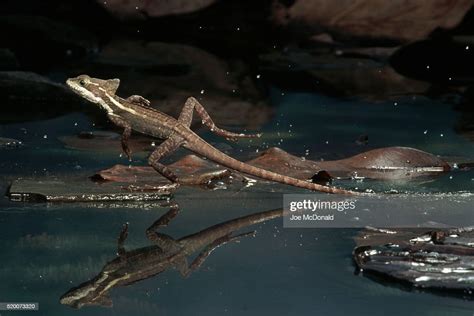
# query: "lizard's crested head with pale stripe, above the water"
93,89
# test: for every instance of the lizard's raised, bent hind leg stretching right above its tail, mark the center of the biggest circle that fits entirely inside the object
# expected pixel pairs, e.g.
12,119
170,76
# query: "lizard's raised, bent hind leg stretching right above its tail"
186,118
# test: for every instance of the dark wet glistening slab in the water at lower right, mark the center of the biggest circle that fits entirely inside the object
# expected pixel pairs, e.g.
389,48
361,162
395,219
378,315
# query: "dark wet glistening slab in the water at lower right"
426,258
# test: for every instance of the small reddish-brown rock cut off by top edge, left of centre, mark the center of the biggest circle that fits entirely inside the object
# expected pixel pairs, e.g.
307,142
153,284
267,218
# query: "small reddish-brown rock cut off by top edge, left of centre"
136,9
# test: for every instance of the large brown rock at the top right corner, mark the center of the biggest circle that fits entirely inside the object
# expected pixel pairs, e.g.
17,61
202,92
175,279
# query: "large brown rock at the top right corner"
401,21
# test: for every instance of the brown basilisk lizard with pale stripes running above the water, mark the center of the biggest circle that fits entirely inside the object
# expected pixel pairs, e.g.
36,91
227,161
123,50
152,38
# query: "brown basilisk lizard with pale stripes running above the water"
135,113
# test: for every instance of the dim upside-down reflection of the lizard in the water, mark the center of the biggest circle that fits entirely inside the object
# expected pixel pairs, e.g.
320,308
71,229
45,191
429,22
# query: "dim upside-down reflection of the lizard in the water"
142,263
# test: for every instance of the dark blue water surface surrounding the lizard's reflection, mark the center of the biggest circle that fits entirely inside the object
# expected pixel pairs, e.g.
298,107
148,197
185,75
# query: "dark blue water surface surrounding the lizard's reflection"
49,248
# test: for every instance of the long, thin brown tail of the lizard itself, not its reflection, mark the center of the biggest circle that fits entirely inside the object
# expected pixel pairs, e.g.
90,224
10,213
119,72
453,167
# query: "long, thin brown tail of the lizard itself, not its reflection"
215,155
